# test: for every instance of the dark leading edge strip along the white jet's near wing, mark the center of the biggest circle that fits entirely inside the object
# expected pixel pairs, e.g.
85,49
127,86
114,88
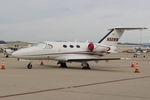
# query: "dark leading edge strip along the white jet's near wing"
96,59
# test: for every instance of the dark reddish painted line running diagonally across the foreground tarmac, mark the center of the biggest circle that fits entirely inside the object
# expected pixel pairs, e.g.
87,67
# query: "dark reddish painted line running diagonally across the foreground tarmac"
71,87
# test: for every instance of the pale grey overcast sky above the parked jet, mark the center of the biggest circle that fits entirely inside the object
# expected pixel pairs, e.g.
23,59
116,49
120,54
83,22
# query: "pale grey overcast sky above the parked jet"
72,20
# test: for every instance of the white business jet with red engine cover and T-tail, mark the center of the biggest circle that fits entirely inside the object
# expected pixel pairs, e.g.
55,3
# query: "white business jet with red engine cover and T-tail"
74,51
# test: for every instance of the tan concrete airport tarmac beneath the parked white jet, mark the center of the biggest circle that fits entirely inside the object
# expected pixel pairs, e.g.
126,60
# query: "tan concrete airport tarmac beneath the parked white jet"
113,80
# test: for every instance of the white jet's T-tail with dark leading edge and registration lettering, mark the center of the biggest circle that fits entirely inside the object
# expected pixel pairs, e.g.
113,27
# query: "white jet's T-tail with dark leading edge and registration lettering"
112,38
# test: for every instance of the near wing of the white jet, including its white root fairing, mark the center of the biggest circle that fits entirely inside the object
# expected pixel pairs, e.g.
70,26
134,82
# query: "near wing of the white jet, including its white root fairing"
80,58
